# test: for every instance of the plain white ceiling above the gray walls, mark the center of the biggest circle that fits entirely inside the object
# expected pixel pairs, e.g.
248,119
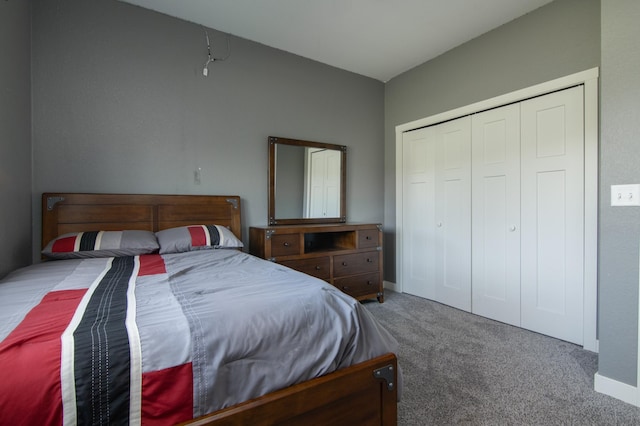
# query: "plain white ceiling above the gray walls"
375,38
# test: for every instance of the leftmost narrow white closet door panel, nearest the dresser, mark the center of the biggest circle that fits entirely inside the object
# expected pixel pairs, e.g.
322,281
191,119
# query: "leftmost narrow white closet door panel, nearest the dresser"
418,262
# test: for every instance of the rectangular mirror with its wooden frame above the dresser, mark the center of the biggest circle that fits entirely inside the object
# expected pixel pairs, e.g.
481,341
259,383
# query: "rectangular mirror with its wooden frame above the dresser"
307,182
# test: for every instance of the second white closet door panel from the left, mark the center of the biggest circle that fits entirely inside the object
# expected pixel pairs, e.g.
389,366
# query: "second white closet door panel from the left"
453,213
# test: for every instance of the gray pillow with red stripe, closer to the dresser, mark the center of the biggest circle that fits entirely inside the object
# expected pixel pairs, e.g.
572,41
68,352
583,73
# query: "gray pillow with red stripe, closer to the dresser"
196,237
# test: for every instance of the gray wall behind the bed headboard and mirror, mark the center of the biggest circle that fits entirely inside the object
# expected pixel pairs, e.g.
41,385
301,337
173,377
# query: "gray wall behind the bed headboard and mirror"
120,105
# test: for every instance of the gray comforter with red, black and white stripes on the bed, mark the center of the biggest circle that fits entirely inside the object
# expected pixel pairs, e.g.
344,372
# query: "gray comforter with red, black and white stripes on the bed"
163,338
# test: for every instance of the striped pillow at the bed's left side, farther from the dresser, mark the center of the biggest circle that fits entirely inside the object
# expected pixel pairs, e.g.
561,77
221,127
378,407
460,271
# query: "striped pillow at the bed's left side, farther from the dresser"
79,245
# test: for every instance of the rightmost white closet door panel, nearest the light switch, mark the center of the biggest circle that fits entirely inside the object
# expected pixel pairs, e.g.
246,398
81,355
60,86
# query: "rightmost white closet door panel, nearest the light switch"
552,214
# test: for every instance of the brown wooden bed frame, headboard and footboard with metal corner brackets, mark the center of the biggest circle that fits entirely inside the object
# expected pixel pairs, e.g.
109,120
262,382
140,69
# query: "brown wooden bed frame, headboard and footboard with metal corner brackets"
363,394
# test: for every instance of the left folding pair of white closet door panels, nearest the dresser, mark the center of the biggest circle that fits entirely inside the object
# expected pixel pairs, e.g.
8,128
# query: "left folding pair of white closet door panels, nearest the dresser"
436,248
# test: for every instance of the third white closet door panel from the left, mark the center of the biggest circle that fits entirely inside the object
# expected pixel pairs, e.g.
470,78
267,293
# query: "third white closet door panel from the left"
496,214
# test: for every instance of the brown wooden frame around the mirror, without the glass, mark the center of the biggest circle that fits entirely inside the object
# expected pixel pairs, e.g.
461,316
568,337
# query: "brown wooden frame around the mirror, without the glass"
272,219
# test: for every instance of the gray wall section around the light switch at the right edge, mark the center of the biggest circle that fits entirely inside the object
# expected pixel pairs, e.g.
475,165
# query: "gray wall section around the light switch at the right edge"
619,237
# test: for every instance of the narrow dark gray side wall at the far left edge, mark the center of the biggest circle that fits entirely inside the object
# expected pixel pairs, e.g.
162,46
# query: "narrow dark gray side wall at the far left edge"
15,135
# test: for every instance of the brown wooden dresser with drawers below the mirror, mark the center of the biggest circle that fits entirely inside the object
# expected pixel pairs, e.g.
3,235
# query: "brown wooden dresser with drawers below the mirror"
349,256
